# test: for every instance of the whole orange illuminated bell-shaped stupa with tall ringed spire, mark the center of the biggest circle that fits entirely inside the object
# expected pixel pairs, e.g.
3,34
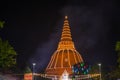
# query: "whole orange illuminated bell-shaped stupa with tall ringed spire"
66,55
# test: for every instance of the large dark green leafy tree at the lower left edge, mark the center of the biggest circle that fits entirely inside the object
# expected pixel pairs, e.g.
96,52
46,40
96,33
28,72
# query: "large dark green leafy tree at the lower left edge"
7,55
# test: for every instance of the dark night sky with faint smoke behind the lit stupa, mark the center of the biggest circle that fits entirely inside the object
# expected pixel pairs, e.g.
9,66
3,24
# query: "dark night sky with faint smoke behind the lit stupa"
34,29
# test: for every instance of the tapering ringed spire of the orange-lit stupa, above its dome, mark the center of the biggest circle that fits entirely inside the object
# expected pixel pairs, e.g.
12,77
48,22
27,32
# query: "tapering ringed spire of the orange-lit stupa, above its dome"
66,39
